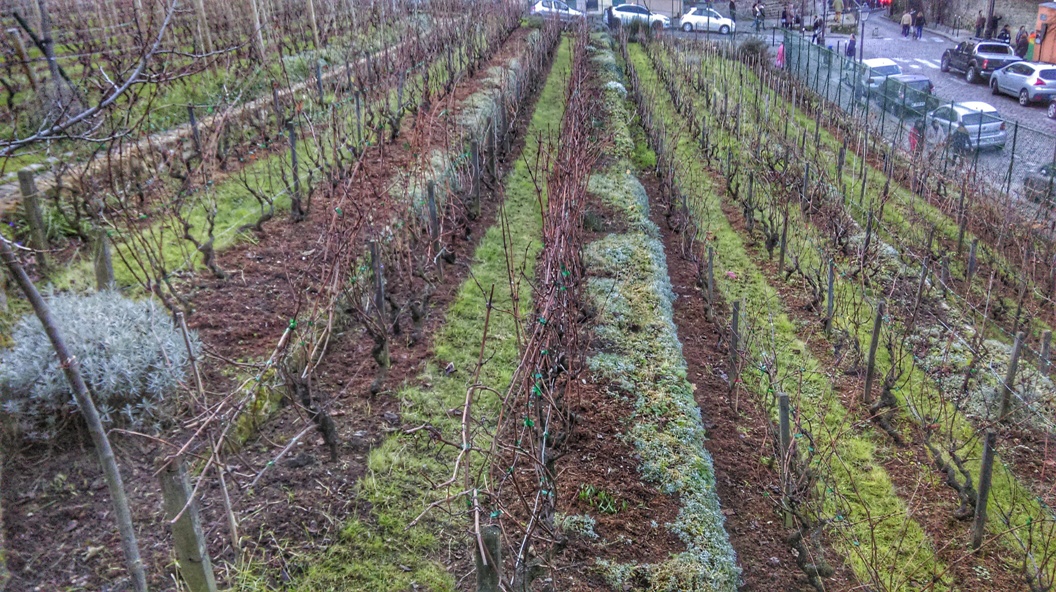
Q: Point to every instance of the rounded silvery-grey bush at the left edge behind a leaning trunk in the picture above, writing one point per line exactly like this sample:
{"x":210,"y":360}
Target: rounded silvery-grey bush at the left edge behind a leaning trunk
{"x":131,"y":357}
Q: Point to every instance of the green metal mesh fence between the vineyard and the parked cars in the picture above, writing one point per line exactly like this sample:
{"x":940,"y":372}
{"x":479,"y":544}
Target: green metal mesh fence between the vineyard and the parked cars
{"x":1003,"y":159}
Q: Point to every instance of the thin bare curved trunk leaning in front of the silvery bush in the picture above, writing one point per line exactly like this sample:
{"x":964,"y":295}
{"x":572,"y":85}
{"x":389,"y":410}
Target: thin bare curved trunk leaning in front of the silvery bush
{"x":72,"y":370}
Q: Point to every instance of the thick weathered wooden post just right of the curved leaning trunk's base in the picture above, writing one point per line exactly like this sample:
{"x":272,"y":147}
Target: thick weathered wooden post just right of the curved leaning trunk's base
{"x":187,"y":533}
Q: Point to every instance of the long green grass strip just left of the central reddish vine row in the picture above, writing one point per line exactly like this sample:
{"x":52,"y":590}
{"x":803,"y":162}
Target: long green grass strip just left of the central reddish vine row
{"x":379,"y":551}
